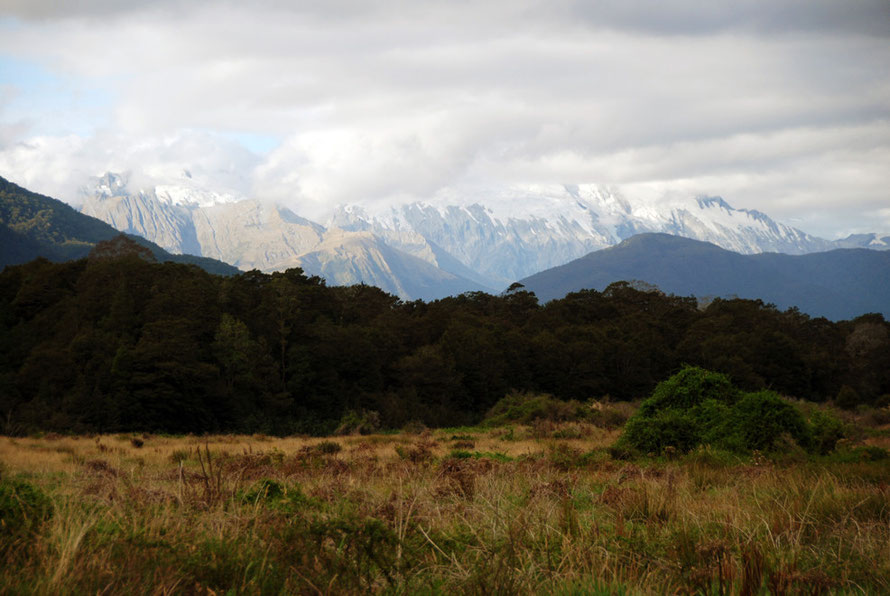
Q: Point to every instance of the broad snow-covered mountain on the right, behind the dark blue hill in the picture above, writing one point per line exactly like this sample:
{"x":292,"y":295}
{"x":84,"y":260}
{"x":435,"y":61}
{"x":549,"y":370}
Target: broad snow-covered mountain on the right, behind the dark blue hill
{"x":507,"y":234}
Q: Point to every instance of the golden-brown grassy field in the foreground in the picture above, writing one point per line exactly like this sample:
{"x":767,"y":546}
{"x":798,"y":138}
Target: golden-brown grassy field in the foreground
{"x":541,"y":509}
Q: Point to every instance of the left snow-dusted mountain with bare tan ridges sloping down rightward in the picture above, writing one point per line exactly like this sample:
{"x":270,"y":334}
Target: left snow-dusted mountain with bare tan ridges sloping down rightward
{"x":251,"y":234}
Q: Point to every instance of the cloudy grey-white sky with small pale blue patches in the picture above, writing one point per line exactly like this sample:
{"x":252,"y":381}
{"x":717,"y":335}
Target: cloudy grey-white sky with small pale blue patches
{"x":781,"y":106}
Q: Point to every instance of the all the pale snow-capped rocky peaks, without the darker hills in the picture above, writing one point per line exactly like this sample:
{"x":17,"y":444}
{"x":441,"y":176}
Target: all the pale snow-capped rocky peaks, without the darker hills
{"x":484,"y":237}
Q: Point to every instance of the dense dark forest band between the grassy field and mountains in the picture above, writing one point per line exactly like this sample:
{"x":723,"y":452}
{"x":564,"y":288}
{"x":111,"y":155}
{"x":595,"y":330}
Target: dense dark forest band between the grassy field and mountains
{"x":122,"y":343}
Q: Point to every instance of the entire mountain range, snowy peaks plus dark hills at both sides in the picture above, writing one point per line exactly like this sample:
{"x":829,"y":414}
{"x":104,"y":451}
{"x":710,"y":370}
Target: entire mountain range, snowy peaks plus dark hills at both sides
{"x":427,"y":250}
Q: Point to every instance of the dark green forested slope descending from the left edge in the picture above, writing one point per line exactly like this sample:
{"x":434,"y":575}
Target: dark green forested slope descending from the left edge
{"x":33,"y":225}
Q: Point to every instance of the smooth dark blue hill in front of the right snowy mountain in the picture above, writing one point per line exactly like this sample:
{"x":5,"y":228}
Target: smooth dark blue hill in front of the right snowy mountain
{"x":838,"y":284}
